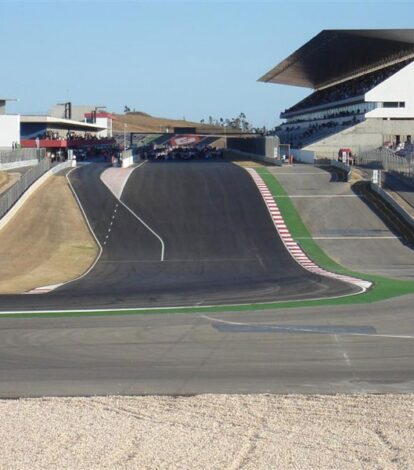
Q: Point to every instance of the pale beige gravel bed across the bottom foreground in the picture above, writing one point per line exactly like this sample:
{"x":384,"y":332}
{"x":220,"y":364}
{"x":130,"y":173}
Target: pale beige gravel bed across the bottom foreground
{"x":209,"y":432}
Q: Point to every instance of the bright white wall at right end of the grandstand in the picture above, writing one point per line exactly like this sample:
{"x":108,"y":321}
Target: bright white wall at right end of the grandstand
{"x":397,"y":88}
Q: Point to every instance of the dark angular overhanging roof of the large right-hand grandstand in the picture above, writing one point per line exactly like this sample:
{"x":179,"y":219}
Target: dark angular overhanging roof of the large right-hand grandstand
{"x":335,"y":55}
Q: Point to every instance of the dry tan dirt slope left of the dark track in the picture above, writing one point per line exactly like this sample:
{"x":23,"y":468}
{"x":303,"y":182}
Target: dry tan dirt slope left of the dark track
{"x":46,"y":242}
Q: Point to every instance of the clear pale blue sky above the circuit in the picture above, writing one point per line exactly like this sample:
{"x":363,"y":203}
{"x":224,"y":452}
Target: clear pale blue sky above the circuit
{"x":171,"y":59}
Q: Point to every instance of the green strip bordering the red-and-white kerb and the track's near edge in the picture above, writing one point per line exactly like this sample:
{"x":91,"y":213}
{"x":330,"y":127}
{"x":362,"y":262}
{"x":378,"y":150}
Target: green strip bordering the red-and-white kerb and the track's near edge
{"x":382,"y":289}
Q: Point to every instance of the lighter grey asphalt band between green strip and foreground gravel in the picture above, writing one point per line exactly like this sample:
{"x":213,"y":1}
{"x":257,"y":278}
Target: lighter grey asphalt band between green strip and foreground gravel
{"x":341,"y":349}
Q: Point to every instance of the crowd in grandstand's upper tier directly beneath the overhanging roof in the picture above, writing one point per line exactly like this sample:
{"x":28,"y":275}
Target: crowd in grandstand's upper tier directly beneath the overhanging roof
{"x":352,"y":88}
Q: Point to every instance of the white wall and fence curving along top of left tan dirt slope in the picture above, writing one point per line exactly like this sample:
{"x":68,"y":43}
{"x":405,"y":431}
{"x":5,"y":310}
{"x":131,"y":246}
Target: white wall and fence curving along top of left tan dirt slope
{"x":18,"y":194}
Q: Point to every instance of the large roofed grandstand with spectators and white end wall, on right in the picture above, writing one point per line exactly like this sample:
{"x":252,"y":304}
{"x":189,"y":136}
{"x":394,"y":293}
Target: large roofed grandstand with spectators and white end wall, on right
{"x":363,"y":97}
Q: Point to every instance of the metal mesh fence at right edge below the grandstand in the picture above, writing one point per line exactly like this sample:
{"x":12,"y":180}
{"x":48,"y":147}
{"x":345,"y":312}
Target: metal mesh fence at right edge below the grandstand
{"x":387,"y":160}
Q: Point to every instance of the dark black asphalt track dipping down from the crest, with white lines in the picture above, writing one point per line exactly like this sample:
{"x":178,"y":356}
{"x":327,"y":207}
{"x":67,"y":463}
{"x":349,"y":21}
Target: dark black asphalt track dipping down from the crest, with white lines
{"x":220,"y":245}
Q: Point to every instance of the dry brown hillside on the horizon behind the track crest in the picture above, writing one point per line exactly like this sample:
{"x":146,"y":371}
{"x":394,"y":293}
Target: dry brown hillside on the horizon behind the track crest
{"x":141,"y":122}
